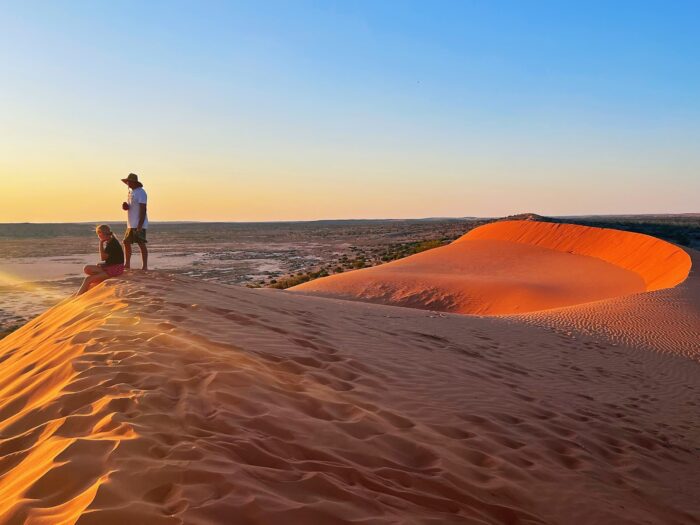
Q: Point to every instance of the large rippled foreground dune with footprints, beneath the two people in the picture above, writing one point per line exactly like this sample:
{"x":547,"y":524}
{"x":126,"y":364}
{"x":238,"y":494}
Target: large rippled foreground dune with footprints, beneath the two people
{"x":166,"y":400}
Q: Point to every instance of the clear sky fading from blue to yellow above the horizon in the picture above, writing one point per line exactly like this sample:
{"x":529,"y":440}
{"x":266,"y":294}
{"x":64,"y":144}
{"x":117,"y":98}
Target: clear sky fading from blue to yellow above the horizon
{"x":294,"y":110}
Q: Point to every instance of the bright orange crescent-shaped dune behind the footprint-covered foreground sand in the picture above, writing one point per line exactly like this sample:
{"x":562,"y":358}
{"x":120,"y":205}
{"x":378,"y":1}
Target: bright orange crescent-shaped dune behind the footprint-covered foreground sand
{"x":515,"y":267}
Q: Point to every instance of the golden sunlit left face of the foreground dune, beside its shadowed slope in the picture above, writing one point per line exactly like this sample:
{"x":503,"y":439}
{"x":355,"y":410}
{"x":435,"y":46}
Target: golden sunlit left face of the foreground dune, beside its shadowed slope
{"x":38,"y":380}
